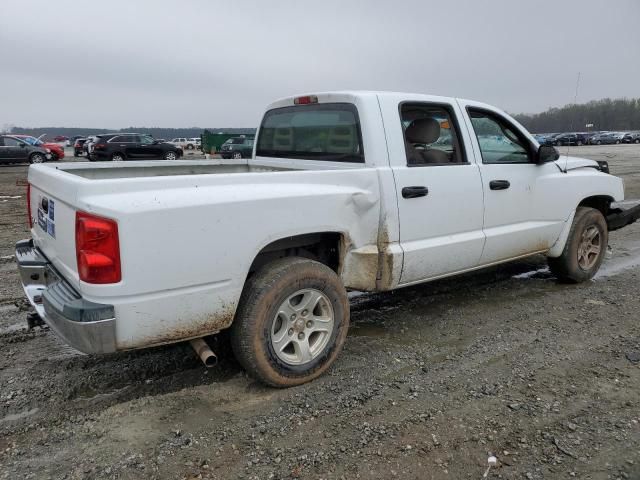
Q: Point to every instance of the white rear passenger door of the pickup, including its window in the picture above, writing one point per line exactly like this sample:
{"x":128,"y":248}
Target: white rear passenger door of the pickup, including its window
{"x":438,"y":186}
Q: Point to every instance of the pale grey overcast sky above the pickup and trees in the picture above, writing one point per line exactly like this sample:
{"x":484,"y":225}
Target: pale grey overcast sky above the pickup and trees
{"x":171,"y":63}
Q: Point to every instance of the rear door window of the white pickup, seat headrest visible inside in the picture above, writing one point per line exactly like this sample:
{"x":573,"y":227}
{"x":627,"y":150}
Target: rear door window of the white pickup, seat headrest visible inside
{"x":430,"y":134}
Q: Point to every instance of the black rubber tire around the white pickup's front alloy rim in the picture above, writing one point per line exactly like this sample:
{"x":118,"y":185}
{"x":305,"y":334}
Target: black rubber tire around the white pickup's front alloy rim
{"x":566,"y":267}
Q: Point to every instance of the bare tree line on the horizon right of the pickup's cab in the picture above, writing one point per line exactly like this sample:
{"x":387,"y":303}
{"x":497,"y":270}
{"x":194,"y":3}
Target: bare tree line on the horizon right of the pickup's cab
{"x":606,"y":114}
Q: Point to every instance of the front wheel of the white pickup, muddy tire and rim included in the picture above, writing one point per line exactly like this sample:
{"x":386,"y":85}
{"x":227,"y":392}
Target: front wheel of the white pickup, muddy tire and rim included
{"x":585,"y":248}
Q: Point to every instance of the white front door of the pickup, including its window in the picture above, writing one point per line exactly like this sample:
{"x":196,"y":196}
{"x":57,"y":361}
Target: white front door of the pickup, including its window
{"x":520,"y":216}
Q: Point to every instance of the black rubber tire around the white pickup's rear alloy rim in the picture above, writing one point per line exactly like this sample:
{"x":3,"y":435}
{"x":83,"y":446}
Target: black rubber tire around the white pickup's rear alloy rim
{"x":263,"y":295}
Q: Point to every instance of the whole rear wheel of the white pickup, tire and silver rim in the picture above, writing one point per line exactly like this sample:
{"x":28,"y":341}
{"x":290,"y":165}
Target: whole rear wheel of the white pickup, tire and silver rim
{"x":291,"y":323}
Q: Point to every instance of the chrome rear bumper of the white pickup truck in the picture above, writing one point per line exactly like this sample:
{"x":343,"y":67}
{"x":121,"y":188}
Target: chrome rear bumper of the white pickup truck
{"x":86,"y":326}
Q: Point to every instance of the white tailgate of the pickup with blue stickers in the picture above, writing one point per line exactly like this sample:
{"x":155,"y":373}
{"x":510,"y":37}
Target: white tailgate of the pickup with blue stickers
{"x":53,"y":216}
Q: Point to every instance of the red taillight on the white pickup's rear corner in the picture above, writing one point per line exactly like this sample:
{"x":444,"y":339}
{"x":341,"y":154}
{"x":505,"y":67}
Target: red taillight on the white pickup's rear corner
{"x":97,"y":249}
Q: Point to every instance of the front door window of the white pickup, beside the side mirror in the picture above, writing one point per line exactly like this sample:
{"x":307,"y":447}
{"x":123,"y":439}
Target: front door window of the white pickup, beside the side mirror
{"x":499,"y":141}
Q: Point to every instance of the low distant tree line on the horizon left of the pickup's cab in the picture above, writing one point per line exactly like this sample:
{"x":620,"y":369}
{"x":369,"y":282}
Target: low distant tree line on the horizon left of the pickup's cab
{"x":166,"y":133}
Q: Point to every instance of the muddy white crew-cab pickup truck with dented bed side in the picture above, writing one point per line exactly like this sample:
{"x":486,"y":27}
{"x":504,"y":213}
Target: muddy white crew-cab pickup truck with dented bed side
{"x":345,"y":191}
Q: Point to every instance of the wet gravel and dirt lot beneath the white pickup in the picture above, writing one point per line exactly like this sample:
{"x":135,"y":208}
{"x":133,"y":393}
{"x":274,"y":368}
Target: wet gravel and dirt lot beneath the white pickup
{"x":433,"y":379}
